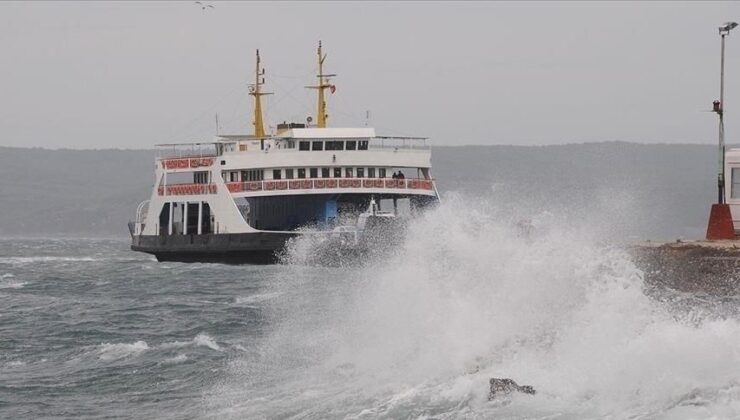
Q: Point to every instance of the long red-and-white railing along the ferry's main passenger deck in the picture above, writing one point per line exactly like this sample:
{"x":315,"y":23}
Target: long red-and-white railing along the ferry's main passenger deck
{"x":330,"y":183}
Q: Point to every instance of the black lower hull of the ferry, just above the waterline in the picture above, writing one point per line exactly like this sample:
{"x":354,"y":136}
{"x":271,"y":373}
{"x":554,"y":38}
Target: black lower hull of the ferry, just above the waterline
{"x":232,"y":248}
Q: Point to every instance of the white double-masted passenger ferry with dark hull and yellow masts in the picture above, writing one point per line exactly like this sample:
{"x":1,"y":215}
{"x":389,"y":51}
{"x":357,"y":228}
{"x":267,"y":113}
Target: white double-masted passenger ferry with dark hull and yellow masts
{"x":240,"y":198}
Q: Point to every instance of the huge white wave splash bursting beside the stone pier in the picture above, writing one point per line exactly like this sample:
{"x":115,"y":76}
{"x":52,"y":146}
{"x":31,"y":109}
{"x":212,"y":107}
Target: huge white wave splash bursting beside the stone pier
{"x":469,"y":296}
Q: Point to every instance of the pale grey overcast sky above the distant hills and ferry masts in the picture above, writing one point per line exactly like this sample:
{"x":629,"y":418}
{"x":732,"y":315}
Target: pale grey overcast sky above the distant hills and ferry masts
{"x":132,"y":74}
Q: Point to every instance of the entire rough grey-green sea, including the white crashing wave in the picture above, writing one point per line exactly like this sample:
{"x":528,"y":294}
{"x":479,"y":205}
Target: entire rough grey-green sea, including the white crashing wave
{"x":90,"y":329}
